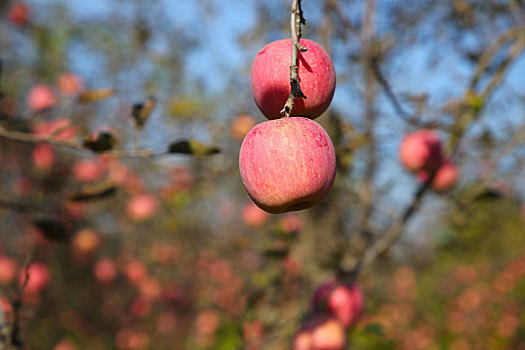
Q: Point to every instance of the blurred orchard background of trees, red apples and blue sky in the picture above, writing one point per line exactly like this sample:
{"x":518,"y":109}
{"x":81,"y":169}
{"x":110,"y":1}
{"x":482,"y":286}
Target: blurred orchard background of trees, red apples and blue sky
{"x":132,"y":247}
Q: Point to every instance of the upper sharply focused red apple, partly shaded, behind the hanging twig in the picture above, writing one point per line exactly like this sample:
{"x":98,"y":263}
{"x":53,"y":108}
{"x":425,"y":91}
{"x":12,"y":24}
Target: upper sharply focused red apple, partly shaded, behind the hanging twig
{"x":270,"y":79}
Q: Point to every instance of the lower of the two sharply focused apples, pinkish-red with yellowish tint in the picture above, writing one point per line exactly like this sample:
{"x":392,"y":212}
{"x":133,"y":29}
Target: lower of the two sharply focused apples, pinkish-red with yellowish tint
{"x":287,"y":164}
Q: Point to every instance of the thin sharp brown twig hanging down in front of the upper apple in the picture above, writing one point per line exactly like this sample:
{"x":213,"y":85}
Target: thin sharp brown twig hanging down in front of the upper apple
{"x":296,"y":20}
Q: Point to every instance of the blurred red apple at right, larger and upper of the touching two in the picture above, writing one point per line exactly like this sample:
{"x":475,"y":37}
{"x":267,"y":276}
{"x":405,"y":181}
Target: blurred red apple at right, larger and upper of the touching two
{"x":420,"y":150}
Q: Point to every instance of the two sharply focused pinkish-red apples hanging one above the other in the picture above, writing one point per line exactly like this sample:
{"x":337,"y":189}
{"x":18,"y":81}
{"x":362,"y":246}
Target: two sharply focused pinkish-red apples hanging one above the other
{"x":289,"y":164}
